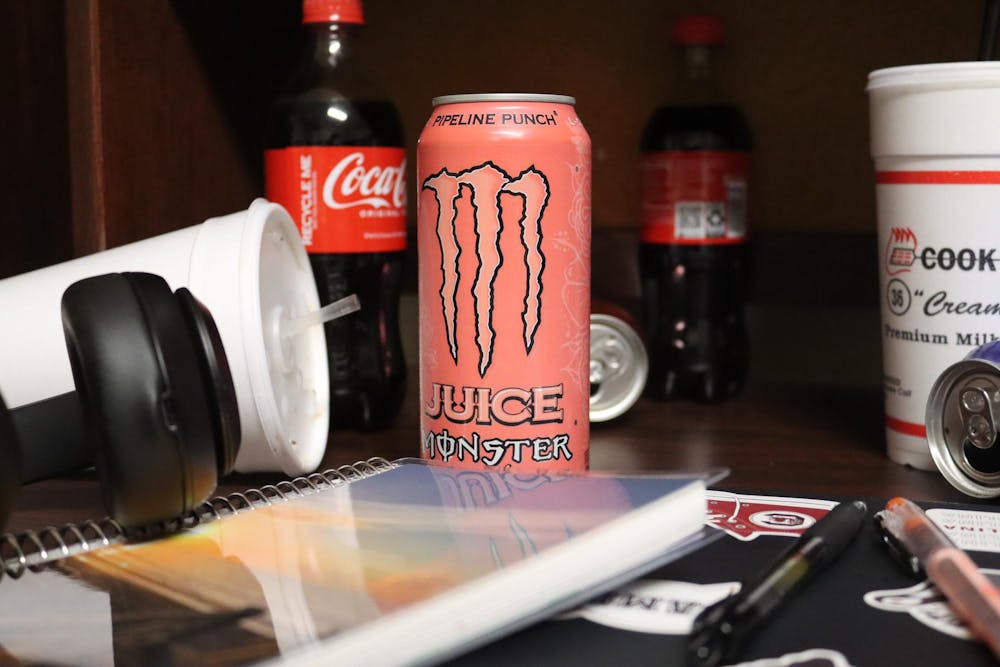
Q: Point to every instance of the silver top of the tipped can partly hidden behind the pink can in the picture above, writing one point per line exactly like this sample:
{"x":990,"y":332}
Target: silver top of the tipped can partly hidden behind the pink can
{"x":618,"y":367}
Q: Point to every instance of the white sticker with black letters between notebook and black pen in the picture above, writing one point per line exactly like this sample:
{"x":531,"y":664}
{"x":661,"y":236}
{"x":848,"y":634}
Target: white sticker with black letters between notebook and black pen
{"x":653,"y":606}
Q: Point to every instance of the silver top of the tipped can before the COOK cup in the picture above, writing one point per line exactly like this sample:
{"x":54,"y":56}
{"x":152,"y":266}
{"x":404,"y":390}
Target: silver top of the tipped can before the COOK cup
{"x":963,"y":419}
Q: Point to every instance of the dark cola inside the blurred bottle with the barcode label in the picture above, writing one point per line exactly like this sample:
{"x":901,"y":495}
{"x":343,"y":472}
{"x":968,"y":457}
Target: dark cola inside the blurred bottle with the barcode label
{"x":693,"y":296}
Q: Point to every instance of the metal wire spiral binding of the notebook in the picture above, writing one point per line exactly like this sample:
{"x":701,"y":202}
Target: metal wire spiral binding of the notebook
{"x":32,"y":550}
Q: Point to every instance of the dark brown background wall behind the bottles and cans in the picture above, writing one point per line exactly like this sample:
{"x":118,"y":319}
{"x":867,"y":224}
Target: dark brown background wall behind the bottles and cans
{"x":127,"y":118}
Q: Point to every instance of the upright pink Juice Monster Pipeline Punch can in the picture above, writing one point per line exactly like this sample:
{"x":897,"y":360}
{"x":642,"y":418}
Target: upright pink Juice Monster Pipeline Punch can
{"x":503,"y":240}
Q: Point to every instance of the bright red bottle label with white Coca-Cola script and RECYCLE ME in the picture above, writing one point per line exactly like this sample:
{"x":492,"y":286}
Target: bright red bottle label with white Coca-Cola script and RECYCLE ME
{"x":344,"y":199}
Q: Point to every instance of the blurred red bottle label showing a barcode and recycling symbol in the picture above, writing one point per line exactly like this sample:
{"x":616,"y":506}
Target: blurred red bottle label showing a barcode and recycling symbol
{"x":694,"y":197}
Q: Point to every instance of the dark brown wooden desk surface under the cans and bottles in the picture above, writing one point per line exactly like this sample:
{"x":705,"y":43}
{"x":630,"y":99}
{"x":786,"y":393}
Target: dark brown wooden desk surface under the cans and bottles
{"x":795,"y":440}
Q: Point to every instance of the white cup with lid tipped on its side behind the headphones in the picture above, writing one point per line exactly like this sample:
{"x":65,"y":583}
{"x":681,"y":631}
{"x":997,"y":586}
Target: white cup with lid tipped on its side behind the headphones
{"x":251,"y":271}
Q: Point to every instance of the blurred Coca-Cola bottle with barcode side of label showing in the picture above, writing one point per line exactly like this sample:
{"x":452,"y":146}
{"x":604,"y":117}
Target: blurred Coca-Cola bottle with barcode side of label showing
{"x":693,"y":250}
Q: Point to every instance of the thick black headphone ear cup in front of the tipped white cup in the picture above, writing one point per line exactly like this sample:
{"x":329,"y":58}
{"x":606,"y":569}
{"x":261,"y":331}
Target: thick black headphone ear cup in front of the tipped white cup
{"x":147,"y":412}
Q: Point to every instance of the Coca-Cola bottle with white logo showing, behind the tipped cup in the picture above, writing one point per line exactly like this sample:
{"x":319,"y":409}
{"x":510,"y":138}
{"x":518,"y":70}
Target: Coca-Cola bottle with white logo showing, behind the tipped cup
{"x":335,"y":159}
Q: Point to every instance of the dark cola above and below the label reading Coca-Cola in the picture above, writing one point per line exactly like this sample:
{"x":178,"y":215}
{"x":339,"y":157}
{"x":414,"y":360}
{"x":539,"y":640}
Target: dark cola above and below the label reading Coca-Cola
{"x":367,"y":369}
